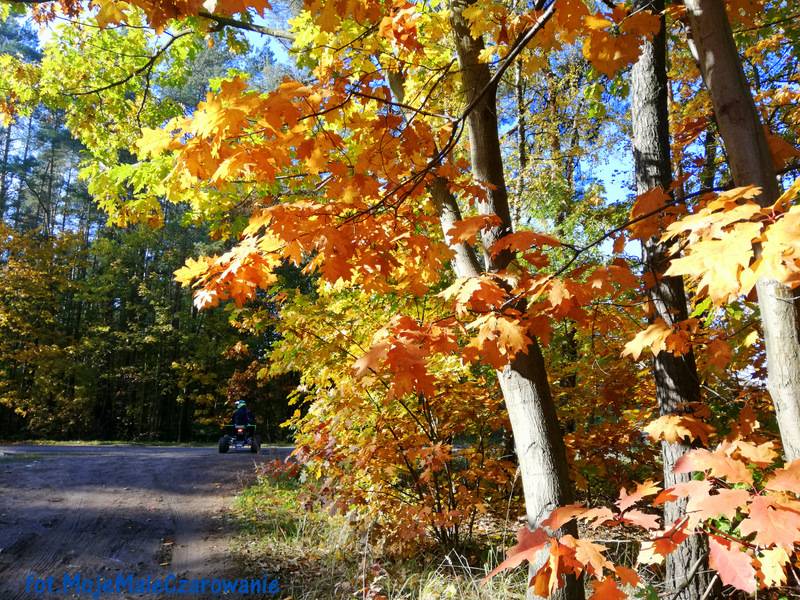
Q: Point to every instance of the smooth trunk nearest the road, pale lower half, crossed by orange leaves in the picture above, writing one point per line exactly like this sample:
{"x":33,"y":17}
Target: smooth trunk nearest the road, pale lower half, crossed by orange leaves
{"x":526,"y":390}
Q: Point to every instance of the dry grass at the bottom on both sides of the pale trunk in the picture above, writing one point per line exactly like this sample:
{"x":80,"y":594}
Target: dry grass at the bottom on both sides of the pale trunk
{"x":320,"y":556}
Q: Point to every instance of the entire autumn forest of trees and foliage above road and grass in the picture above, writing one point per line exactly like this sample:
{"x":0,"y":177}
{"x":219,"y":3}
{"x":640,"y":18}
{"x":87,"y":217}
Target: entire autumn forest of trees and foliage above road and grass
{"x":476,"y":259}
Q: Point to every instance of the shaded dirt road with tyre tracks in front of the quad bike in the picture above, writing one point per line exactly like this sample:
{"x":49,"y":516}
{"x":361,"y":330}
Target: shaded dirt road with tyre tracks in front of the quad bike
{"x":102,"y":511}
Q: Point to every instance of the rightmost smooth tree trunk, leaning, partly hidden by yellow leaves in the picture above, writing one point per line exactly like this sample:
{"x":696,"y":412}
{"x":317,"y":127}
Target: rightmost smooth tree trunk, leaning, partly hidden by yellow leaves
{"x":751,"y":164}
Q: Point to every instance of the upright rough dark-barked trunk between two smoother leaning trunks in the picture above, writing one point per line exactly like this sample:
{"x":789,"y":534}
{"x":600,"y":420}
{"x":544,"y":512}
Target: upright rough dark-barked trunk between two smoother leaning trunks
{"x":676,"y":379}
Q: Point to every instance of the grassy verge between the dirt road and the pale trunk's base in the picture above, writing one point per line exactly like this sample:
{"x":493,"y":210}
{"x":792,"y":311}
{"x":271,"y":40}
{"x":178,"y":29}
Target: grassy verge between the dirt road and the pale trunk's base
{"x":318,"y":556}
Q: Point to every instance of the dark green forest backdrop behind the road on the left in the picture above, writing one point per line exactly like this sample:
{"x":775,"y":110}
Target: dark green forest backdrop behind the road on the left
{"x":96,"y":338}
